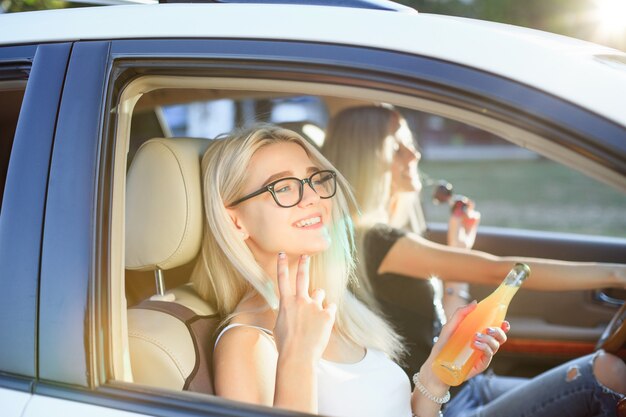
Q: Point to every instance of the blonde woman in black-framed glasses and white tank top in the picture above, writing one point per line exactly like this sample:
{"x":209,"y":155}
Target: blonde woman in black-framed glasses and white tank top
{"x":277,"y":259}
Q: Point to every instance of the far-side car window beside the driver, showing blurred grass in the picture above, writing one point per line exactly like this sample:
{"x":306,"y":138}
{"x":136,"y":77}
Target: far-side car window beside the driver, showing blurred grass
{"x":513,"y":187}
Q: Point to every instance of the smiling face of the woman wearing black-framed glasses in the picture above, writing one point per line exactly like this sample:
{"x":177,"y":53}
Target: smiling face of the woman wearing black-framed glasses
{"x":269,"y":228}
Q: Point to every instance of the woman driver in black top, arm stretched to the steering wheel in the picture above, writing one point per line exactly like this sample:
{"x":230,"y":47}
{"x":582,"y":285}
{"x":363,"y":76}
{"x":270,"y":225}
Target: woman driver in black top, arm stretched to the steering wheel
{"x":374,"y":149}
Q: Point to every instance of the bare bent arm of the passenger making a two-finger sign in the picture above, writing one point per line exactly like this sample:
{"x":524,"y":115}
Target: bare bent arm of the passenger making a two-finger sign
{"x":251,"y":367}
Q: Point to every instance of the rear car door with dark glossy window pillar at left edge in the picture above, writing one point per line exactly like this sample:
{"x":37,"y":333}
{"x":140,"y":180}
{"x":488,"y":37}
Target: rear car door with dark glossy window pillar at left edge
{"x":30,"y":86}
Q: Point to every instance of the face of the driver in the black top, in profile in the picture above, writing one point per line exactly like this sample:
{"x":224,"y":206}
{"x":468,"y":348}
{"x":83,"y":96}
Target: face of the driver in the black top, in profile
{"x":404,"y":159}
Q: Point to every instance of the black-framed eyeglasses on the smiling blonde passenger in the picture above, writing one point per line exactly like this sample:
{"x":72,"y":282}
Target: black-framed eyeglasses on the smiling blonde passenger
{"x":288,"y":192}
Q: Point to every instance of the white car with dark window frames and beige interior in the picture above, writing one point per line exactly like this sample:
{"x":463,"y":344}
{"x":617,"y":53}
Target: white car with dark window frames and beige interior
{"x":84,"y":91}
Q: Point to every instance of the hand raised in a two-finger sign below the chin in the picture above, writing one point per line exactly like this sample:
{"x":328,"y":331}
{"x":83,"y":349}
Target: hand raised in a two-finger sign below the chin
{"x":304,"y":323}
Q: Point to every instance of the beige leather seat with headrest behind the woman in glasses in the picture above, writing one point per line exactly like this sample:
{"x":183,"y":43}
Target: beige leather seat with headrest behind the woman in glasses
{"x":169,"y":334}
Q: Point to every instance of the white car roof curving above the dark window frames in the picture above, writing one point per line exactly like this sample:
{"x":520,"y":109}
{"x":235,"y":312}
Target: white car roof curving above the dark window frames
{"x":589,"y":75}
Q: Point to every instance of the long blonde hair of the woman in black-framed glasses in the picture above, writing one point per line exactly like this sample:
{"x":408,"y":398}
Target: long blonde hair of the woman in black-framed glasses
{"x":226,"y":271}
